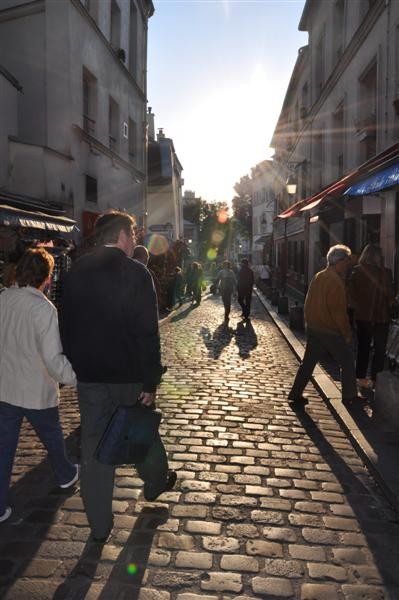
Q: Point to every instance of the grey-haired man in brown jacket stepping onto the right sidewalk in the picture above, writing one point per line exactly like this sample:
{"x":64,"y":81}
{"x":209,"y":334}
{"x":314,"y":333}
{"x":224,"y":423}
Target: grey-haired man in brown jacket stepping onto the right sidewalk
{"x":328,"y":327}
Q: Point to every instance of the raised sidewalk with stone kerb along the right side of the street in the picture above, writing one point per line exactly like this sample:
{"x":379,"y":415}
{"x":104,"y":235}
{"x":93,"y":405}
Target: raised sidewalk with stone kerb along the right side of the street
{"x":379,"y":449}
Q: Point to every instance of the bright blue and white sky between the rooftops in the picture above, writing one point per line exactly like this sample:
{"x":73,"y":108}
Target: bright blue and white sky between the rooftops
{"x":217,"y":76}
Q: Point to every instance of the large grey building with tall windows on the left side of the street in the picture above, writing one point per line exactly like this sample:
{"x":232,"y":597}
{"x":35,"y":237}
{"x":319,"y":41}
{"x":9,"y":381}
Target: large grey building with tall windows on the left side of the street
{"x":80,"y":144}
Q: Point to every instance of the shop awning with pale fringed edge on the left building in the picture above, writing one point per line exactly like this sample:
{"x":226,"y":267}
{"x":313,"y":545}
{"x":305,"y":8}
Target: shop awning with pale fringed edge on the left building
{"x":15,"y":217}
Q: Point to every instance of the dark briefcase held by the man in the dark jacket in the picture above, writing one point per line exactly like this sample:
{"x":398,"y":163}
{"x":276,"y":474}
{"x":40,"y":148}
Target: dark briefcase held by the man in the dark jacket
{"x":128,"y":436}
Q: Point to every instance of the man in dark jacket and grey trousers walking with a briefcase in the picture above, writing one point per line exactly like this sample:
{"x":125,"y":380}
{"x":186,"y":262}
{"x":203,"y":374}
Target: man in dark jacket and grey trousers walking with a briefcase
{"x":109,"y":331}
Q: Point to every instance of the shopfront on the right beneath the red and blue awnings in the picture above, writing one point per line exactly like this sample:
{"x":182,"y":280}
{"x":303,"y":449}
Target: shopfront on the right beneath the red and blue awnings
{"x":360,"y":208}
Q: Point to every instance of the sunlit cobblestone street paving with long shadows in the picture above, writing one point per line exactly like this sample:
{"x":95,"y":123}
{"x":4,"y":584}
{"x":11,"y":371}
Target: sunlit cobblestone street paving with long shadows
{"x":269,"y":502}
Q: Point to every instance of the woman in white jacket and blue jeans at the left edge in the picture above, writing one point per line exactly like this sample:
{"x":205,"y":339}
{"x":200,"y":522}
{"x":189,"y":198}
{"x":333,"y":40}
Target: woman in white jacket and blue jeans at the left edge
{"x":31,"y":365}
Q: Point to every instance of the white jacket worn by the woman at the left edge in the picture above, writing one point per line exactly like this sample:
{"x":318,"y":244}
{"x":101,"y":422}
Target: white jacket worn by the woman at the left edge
{"x":31,"y":358}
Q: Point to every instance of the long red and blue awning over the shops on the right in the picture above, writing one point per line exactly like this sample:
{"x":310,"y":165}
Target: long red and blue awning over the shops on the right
{"x":382,"y":170}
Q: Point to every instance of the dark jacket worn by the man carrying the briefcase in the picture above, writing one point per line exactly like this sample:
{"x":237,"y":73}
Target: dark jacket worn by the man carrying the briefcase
{"x":109,"y":320}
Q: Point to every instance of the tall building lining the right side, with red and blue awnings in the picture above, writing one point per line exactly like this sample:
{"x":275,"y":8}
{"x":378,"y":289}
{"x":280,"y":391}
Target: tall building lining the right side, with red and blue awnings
{"x":338,"y":127}
